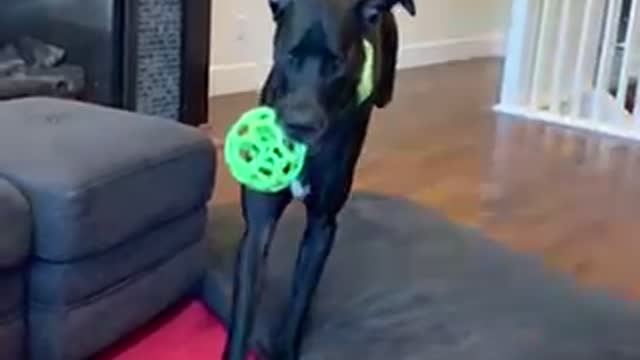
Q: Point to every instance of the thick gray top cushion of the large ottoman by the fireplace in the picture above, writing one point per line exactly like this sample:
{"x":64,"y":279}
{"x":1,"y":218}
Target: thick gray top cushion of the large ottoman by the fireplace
{"x":97,"y":176}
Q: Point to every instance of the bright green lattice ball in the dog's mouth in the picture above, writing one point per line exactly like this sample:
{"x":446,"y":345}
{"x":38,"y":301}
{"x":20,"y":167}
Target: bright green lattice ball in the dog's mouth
{"x":260,"y":155}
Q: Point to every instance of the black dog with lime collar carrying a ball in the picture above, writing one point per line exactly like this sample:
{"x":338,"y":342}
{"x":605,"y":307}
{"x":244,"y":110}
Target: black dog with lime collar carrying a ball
{"x":334,"y":61}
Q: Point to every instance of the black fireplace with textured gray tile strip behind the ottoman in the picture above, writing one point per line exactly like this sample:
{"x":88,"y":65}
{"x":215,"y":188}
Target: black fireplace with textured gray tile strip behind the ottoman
{"x":148,"y":56}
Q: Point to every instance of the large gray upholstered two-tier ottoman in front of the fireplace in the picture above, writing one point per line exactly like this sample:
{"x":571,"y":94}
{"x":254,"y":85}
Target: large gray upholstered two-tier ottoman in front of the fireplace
{"x":119,"y":205}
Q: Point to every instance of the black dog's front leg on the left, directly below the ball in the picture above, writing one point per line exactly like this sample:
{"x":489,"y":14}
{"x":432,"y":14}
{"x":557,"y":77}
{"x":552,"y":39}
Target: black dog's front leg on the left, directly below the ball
{"x":261,"y":213}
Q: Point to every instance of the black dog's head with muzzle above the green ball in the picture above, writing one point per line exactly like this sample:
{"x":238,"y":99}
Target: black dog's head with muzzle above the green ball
{"x":318,"y":59}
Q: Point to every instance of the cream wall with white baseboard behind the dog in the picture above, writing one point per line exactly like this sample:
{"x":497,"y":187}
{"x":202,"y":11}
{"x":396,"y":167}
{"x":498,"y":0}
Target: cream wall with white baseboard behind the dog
{"x":444,"y":30}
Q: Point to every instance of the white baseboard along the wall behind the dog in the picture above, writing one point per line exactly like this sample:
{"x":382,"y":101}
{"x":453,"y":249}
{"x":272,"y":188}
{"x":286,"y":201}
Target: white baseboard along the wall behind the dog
{"x":235,"y":78}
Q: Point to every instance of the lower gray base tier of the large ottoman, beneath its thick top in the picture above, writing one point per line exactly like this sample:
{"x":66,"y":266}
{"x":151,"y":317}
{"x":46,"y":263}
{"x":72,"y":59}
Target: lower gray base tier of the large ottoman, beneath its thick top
{"x":79,"y":331}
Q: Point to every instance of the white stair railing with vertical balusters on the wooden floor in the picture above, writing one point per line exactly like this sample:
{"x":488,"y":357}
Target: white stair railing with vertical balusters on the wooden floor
{"x":574,"y":63}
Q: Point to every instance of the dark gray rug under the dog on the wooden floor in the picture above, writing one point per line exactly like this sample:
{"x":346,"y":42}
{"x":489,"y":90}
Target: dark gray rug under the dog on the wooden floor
{"x":404,"y":283}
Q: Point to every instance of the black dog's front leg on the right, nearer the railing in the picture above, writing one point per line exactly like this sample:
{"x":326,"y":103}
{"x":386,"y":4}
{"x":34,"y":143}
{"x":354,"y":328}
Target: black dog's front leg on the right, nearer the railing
{"x":312,"y":256}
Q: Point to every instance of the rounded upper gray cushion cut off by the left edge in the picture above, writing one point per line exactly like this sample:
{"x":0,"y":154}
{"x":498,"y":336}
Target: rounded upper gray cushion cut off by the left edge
{"x":15,"y":226}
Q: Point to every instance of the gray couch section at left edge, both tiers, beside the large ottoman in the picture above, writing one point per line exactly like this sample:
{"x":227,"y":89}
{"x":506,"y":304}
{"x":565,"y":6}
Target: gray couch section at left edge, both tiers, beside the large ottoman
{"x":14,"y":251}
